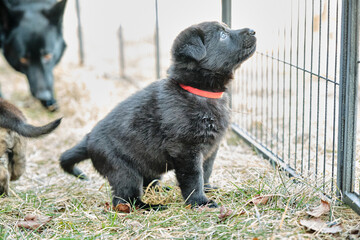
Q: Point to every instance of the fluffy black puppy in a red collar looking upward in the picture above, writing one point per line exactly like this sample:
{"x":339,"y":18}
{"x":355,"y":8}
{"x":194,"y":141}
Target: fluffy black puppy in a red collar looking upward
{"x":176,"y":123}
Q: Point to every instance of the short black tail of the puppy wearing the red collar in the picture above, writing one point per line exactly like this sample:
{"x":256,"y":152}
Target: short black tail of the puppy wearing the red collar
{"x":73,"y":156}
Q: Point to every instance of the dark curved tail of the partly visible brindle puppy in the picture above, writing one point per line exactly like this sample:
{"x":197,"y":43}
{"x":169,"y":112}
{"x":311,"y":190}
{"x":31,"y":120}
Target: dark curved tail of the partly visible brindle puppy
{"x":11,"y":118}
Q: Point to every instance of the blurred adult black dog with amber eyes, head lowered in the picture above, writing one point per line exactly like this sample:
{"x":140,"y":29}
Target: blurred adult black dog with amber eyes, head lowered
{"x":32,"y":42}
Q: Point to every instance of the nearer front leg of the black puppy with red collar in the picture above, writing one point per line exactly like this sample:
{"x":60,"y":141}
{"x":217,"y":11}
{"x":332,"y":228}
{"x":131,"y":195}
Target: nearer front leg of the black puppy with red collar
{"x":191,"y":181}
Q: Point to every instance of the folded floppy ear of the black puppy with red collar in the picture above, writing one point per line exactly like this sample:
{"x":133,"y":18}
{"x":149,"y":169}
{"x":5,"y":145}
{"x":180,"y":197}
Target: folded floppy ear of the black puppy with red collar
{"x":190,"y":43}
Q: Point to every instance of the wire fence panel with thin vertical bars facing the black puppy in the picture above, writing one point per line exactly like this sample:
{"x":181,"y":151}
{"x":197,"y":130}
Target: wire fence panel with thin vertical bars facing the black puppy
{"x":285,"y":99}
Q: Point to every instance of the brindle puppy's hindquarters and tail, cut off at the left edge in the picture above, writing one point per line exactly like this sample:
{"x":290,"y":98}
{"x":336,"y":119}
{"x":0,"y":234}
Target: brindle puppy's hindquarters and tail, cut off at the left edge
{"x":13,"y":145}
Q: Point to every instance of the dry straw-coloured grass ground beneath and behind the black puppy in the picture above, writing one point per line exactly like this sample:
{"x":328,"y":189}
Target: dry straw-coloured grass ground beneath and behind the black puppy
{"x":78,"y":208}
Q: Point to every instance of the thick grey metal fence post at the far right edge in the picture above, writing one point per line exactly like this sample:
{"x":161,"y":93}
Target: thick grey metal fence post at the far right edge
{"x":348,"y":103}
